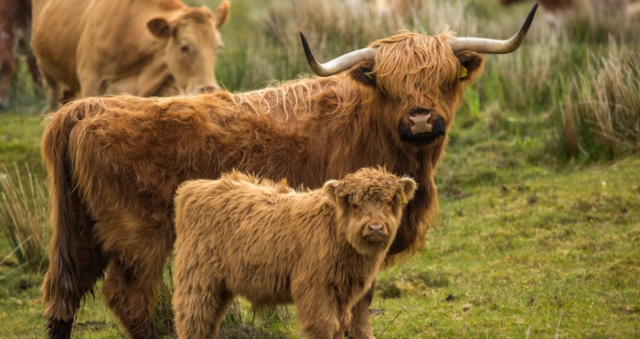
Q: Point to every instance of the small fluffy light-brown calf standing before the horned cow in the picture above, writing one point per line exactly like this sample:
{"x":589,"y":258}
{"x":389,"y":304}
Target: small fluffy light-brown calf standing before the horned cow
{"x":240,"y":236}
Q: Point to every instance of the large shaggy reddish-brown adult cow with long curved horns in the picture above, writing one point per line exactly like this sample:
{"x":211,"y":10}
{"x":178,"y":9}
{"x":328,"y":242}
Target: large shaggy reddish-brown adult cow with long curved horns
{"x":115,"y":163}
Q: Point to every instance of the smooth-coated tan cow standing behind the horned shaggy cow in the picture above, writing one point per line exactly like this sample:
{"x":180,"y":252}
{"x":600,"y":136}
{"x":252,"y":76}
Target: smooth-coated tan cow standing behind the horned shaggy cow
{"x":142,"y":47}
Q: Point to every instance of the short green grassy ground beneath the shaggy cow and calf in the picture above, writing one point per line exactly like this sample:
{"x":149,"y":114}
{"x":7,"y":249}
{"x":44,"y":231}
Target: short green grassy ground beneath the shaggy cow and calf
{"x":519,"y":251}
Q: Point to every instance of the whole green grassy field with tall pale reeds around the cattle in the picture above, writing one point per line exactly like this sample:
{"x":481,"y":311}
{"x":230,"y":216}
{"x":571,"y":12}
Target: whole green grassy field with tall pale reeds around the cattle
{"x":539,"y":232}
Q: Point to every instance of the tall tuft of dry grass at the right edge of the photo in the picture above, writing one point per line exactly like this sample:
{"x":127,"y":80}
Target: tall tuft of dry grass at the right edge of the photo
{"x":601,"y":116}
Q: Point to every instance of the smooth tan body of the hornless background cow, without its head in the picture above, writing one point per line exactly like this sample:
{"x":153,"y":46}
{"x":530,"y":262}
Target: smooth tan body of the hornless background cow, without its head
{"x":72,"y":38}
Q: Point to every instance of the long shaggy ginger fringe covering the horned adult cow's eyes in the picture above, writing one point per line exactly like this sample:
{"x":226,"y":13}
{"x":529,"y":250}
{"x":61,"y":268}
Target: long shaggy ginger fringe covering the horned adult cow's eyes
{"x":410,"y":65}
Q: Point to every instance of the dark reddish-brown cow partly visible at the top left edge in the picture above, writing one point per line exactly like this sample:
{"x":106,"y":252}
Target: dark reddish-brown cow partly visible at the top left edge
{"x":15,"y":33}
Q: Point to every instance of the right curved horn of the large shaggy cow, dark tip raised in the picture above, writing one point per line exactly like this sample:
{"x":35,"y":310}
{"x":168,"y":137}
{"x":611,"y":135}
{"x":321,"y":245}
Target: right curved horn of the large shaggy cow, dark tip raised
{"x":490,"y":46}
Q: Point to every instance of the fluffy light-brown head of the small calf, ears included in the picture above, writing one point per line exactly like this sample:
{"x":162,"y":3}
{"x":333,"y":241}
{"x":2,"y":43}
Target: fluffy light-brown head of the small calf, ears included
{"x":369,"y":208}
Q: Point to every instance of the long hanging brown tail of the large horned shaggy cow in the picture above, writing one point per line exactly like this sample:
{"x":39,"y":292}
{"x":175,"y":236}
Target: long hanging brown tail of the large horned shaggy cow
{"x":61,"y":288}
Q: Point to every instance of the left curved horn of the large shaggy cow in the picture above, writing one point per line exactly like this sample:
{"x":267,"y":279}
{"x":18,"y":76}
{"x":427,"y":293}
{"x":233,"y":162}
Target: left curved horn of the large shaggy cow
{"x":338,"y":64}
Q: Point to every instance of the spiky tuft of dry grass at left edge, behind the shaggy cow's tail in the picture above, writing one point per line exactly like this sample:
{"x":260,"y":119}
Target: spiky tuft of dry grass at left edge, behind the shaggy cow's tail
{"x":24,"y":218}
